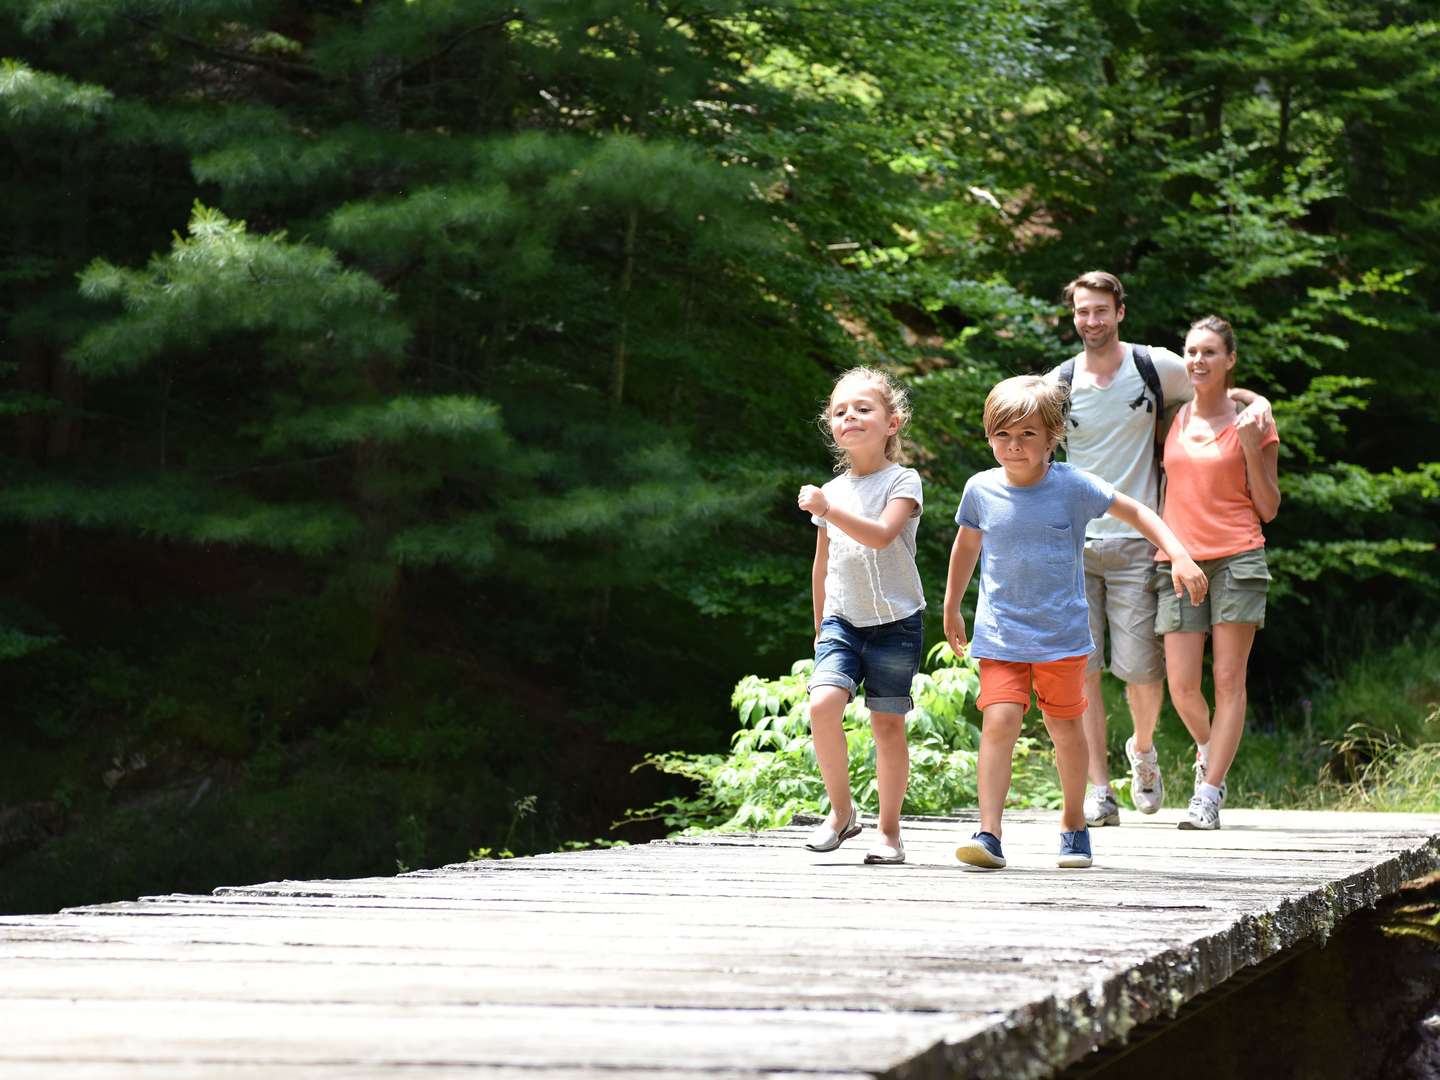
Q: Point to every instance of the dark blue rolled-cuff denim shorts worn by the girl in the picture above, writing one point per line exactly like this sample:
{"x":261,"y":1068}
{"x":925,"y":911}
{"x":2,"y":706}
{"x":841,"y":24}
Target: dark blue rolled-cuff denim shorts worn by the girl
{"x":882,"y":659}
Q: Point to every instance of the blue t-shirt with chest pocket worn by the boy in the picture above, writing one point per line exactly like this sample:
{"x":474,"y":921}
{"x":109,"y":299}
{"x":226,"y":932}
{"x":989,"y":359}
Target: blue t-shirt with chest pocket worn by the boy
{"x":1032,"y":568}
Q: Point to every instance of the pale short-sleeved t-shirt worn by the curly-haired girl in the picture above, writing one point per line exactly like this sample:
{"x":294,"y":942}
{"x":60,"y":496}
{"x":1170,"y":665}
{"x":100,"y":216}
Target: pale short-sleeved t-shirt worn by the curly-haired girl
{"x":869,"y":587}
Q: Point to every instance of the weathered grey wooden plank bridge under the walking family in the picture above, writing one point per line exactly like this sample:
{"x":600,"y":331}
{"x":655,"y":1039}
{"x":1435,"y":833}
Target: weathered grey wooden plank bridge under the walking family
{"x":732,"y":957}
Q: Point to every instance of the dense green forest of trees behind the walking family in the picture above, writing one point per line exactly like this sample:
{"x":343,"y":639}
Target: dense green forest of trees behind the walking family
{"x":405,"y":400}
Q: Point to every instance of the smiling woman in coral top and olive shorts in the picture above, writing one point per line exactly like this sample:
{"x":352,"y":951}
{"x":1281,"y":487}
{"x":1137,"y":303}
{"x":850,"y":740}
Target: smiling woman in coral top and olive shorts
{"x":1222,"y":483}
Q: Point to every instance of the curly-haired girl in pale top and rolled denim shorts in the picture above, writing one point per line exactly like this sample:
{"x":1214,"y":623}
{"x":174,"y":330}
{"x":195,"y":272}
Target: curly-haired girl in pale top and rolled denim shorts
{"x":868,"y":601}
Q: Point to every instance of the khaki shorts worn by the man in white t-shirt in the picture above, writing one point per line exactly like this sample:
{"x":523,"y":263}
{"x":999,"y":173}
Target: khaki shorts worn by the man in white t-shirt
{"x":1120,"y":587}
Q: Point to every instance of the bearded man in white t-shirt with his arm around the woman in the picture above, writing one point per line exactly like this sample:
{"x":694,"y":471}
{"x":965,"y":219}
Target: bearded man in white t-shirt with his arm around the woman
{"x":1114,"y":423}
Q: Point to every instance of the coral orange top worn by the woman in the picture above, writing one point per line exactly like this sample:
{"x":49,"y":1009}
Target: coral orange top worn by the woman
{"x":1207,"y":496}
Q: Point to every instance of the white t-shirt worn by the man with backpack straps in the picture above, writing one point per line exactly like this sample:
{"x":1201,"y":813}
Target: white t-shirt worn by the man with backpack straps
{"x":1112,"y":431}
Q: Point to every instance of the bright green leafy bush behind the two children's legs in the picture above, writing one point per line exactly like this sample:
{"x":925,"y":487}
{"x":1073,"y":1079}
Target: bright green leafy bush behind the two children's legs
{"x":771,"y":774}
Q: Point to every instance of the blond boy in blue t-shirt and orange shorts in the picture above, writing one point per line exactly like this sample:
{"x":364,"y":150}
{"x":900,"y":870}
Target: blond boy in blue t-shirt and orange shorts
{"x":1026,"y":522}
